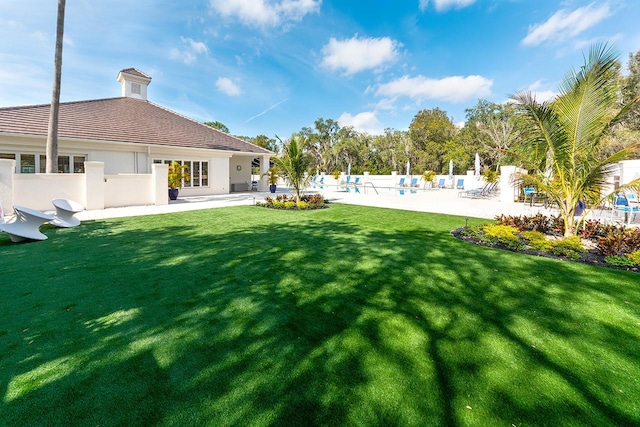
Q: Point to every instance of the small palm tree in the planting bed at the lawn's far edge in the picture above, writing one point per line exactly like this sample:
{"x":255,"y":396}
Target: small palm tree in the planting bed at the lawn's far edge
{"x":294,"y":164}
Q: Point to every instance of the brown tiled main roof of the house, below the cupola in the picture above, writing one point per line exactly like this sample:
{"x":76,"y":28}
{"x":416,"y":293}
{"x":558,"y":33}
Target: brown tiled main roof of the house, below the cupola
{"x":122,"y":119}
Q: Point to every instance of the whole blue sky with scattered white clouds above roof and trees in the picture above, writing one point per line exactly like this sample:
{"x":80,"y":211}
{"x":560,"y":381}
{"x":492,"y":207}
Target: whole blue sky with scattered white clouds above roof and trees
{"x":274,"y":66}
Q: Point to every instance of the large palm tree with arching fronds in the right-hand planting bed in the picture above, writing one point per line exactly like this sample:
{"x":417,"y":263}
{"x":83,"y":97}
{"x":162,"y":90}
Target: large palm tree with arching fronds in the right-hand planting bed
{"x":565,"y":141}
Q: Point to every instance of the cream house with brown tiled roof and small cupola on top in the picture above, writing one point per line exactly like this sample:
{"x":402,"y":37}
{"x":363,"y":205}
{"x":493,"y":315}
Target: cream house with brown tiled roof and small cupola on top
{"x":128,"y":135}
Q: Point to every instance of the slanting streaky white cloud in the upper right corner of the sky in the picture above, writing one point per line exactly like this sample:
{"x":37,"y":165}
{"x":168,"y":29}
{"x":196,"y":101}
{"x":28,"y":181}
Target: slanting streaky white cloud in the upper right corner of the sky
{"x":565,"y":24}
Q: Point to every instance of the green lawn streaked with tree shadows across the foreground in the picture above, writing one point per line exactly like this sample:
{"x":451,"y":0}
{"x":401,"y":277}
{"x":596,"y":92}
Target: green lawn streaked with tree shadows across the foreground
{"x":342,"y":316}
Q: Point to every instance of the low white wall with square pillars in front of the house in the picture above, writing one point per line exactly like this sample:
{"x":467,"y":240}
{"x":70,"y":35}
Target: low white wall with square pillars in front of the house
{"x":92,"y":189}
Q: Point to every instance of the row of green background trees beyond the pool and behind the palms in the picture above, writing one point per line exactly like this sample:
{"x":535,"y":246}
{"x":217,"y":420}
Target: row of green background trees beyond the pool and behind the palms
{"x":494,"y":130}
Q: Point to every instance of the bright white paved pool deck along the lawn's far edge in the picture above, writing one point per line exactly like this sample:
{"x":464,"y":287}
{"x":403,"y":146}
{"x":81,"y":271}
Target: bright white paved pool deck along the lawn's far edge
{"x":444,"y":201}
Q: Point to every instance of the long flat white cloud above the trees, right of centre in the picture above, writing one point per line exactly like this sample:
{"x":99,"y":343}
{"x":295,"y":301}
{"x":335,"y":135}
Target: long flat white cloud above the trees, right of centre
{"x":454,"y":89}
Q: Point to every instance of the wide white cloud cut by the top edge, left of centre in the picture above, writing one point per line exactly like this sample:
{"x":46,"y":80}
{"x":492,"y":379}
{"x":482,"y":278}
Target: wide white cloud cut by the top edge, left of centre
{"x":265,"y":13}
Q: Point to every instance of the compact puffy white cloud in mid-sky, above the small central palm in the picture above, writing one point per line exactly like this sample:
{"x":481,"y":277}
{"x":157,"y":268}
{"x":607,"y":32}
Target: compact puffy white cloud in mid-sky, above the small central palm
{"x":358,"y":54}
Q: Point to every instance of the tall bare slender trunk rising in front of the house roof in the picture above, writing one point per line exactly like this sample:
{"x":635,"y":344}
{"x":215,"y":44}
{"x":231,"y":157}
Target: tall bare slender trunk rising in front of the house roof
{"x":52,"y":131}
